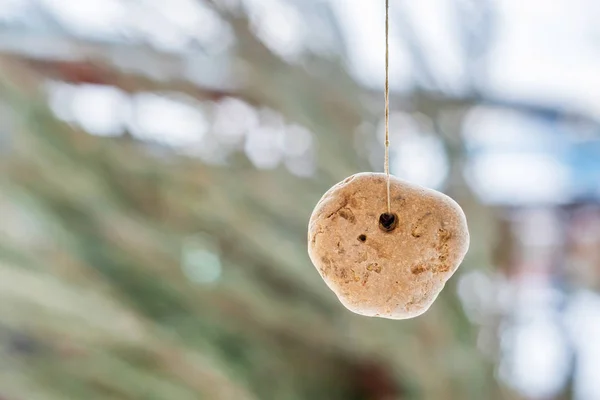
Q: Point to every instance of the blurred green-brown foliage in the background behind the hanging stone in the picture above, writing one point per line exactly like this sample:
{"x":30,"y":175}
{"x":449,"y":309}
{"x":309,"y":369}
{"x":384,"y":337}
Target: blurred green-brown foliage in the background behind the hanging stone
{"x":95,"y":305}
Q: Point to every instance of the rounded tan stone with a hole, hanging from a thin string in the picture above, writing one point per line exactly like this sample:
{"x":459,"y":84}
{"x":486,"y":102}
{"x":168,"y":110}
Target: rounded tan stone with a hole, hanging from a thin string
{"x":397,"y":274}
